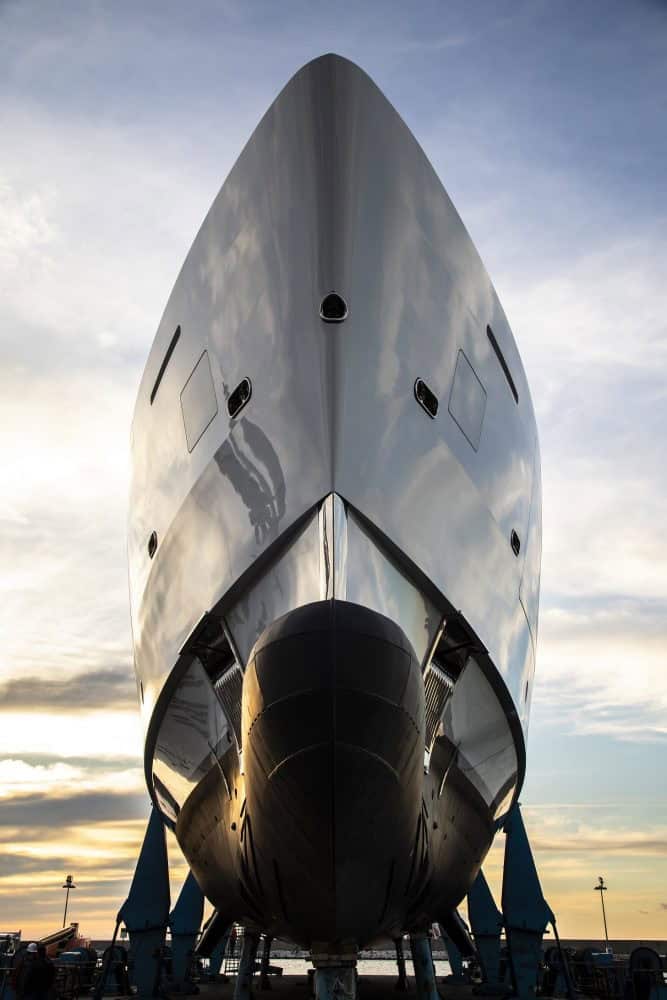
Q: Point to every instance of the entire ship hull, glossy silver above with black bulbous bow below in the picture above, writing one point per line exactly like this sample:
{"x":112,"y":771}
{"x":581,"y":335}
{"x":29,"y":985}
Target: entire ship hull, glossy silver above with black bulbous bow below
{"x":334,"y":593}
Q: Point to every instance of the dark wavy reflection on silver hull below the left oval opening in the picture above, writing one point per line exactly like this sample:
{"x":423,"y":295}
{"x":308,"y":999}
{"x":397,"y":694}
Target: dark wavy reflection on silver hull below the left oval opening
{"x":253,"y":468}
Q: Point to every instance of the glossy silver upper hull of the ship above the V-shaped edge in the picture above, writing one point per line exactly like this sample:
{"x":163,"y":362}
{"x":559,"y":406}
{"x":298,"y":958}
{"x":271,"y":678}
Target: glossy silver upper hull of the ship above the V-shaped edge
{"x":332,"y":190}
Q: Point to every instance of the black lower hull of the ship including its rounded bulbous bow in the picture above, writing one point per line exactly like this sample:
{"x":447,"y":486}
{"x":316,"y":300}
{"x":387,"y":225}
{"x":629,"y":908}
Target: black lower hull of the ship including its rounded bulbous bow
{"x":333,"y":834}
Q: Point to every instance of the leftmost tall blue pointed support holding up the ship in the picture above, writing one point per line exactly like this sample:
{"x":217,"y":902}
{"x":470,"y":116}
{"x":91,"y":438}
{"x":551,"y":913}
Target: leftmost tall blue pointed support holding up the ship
{"x":146,"y":909}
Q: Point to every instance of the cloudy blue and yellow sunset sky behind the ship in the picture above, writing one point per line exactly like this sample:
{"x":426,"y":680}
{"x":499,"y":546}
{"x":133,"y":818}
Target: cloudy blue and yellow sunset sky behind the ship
{"x":118,"y":124}
